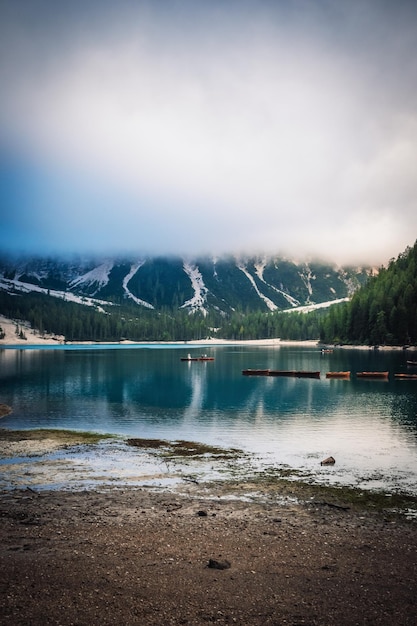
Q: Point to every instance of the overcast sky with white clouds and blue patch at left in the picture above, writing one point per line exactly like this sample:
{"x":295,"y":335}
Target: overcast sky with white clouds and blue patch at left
{"x":210,"y":126}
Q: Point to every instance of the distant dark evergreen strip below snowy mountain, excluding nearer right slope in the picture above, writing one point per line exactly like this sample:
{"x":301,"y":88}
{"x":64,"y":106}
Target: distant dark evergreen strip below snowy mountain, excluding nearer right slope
{"x":77,"y":322}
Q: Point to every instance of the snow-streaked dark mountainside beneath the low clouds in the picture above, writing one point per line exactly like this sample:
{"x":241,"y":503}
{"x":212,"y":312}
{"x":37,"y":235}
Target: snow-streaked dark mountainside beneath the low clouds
{"x":224,"y":284}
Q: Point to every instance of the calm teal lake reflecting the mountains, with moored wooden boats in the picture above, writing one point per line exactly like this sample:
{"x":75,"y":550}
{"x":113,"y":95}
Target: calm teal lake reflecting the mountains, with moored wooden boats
{"x":146,"y":391}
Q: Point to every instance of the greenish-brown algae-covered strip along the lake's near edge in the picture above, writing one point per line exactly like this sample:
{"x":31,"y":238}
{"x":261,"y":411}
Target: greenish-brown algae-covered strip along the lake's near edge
{"x":237,"y":480}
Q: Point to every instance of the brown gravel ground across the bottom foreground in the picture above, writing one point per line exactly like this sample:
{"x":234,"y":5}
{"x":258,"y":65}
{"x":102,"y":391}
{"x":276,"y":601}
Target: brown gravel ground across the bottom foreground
{"x":136,"y":556}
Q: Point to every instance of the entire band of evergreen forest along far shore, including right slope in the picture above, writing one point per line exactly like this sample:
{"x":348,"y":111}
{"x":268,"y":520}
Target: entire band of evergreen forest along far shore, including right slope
{"x":384,"y":311}
